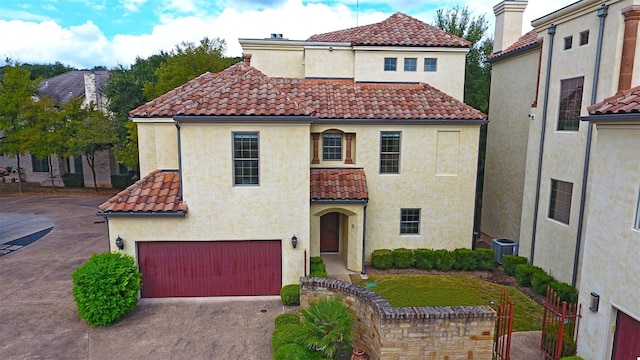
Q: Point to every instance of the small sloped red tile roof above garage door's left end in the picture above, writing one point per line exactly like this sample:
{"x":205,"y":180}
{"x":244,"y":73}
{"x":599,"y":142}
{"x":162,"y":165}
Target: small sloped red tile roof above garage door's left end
{"x":155,"y":194}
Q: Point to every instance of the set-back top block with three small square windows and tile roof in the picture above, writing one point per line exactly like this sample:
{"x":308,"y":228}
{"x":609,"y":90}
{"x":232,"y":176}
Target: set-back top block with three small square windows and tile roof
{"x":398,"y":49}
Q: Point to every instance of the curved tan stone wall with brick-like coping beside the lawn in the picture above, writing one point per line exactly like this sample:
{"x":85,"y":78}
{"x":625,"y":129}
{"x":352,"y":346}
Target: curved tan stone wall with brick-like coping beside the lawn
{"x":410,"y":333}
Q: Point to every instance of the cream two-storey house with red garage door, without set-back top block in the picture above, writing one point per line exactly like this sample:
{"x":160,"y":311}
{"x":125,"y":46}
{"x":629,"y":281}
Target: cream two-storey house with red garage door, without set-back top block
{"x":248,"y":176}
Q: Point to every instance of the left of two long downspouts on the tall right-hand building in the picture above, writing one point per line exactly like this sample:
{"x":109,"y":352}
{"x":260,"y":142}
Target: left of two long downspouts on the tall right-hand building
{"x":551,"y":31}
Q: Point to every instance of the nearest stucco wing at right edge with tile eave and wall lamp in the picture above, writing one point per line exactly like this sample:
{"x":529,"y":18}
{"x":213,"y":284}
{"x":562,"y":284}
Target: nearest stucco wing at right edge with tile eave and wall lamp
{"x":610,"y":267}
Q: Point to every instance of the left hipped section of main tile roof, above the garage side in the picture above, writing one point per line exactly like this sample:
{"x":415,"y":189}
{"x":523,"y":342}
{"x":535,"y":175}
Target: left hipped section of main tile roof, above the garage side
{"x":239,"y":90}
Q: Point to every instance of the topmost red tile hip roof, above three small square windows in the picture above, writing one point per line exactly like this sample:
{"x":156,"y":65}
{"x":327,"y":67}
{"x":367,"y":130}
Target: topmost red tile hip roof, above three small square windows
{"x":398,"y":30}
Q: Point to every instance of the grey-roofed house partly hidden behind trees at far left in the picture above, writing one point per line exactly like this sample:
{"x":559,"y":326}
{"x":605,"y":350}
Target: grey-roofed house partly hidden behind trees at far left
{"x":63,"y":88}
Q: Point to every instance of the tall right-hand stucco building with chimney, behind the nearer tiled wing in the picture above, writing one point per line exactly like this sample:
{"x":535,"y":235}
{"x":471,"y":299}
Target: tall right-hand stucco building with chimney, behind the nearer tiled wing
{"x":538,"y":150}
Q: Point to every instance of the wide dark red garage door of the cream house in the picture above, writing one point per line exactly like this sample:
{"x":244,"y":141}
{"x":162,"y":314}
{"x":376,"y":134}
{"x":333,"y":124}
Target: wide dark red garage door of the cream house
{"x":220,"y":268}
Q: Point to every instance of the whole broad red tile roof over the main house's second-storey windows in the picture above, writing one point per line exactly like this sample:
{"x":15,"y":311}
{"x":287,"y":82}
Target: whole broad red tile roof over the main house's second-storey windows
{"x":242,"y":90}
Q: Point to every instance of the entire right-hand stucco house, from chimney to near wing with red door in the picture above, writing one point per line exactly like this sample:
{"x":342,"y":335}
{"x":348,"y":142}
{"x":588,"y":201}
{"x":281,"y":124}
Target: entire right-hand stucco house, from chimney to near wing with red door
{"x":566,"y":189}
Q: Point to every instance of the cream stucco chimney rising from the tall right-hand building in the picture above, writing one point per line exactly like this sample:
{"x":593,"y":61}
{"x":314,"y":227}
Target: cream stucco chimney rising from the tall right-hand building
{"x":508,"y":27}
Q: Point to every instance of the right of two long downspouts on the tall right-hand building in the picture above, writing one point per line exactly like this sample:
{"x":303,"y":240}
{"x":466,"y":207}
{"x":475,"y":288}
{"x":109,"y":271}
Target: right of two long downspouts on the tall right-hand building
{"x":602,"y":14}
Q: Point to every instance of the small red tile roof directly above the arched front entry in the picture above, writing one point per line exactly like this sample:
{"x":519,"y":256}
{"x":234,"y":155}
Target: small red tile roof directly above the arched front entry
{"x":341,"y":184}
